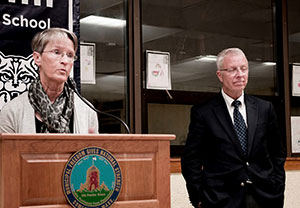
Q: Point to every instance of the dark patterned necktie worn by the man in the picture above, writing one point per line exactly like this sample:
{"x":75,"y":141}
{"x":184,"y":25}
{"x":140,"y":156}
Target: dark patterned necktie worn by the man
{"x":239,"y":125}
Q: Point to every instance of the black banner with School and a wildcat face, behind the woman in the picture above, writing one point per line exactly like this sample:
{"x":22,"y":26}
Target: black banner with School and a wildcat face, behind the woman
{"x":19,"y":21}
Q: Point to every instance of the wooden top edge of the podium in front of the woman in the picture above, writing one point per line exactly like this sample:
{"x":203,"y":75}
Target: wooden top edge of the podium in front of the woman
{"x":14,"y":136}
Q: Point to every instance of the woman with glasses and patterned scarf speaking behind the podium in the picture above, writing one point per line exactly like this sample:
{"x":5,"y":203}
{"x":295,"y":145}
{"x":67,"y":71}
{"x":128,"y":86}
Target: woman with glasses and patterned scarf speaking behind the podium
{"x":50,"y":105}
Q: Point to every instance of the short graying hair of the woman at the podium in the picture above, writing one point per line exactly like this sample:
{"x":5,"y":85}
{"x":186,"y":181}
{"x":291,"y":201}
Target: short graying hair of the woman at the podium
{"x":41,"y":39}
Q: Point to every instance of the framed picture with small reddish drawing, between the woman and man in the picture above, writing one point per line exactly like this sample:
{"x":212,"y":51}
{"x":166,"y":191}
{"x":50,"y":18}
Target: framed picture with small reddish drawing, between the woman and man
{"x":158,"y":75}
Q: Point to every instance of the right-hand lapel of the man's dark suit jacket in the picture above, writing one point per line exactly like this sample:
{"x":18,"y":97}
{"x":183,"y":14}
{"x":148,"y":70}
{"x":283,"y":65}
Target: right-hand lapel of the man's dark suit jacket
{"x":252,"y":112}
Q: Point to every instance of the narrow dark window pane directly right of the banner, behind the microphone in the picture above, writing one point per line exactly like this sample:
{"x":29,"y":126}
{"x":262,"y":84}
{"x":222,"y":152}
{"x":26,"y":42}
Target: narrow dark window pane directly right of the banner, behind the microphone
{"x":104,"y":24}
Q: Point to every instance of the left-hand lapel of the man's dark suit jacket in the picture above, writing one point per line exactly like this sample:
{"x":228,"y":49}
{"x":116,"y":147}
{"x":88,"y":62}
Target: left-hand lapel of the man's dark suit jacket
{"x":224,"y":118}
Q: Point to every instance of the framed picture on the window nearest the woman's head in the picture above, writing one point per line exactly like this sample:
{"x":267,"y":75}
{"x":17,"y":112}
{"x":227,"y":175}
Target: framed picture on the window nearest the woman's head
{"x":88,"y":63}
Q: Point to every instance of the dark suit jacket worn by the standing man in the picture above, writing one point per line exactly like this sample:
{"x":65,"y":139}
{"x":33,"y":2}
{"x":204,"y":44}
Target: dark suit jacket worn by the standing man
{"x":214,"y":166}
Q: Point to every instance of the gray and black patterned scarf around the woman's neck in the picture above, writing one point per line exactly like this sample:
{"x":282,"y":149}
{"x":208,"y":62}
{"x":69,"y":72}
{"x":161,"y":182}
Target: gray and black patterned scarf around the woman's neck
{"x":55,"y":116}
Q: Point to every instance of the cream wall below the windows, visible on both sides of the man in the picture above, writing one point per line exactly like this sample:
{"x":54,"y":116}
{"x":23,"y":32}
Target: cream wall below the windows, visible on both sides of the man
{"x":179,"y":197}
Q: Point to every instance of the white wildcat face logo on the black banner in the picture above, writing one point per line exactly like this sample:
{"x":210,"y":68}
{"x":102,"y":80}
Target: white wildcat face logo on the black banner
{"x":16,"y":73}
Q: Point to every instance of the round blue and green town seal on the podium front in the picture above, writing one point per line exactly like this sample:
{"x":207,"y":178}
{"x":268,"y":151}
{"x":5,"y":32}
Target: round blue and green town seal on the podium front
{"x":92,"y":178}
